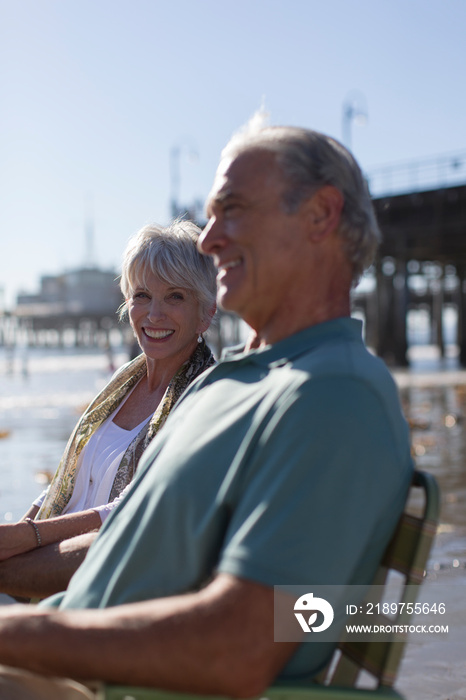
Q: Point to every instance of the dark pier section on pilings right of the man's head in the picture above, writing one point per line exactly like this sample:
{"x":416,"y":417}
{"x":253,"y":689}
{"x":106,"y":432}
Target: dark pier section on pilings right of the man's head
{"x":424,"y":236}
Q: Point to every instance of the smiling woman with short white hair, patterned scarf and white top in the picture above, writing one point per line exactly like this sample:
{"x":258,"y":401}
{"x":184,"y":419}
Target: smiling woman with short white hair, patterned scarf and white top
{"x":169,"y":291}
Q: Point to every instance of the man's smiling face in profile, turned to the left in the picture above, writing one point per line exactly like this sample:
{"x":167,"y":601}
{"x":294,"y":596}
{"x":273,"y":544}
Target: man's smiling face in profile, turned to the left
{"x":256,"y":246}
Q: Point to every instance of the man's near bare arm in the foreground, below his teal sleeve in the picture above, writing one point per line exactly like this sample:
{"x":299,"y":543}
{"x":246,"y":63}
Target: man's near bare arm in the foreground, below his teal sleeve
{"x":217,"y":641}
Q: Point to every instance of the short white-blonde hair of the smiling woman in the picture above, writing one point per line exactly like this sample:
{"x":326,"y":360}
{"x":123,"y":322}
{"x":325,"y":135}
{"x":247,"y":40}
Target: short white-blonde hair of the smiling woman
{"x":170,"y":252}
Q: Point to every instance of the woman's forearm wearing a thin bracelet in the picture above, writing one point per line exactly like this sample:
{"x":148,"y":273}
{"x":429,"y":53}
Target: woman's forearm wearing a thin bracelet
{"x":21,"y":537}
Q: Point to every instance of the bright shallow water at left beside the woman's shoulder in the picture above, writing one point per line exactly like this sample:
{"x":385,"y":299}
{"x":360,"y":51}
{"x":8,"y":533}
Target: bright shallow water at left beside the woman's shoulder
{"x":42,"y":394}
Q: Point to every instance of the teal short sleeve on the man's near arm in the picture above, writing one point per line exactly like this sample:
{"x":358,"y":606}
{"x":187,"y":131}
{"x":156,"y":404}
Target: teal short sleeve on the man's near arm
{"x":324,"y":489}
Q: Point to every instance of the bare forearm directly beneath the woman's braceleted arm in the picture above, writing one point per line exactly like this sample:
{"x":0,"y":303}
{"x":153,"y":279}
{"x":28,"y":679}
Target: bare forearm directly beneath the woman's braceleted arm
{"x":46,"y":570}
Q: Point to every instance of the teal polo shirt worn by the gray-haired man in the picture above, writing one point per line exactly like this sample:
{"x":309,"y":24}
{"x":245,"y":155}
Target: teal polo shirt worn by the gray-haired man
{"x":288,"y":465}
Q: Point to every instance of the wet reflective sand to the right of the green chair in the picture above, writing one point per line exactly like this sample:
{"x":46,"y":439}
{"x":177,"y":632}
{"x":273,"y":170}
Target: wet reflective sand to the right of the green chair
{"x":434,"y":667}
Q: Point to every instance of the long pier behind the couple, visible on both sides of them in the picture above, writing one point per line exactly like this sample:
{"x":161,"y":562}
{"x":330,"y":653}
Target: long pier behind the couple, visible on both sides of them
{"x":421,"y":264}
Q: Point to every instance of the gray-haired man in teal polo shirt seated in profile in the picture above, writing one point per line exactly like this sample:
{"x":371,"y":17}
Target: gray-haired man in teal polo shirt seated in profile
{"x":285,"y":464}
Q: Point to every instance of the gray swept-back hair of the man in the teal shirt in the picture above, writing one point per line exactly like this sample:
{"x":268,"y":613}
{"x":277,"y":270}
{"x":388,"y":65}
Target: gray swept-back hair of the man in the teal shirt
{"x":309,"y":160}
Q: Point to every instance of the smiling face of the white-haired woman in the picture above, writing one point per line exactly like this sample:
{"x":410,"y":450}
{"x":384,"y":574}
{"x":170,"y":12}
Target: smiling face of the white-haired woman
{"x":166,"y":320}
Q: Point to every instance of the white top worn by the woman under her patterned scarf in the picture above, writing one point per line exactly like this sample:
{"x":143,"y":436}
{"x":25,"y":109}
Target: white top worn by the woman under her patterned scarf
{"x":97,"y":466}
